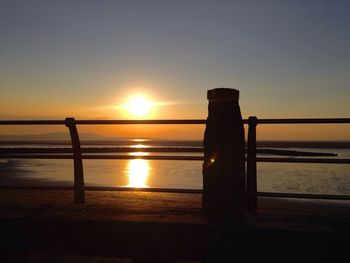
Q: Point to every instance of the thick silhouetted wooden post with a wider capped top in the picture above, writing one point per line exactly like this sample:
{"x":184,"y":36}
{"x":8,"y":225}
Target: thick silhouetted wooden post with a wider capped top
{"x":224,"y":195}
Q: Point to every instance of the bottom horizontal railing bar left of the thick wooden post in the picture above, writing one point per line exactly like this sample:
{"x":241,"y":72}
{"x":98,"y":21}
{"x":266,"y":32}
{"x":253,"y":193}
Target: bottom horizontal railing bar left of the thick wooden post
{"x":103,"y":188}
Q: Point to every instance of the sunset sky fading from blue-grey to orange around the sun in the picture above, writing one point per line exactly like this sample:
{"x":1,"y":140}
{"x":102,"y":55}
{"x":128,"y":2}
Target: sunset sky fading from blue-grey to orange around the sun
{"x":87,"y":59}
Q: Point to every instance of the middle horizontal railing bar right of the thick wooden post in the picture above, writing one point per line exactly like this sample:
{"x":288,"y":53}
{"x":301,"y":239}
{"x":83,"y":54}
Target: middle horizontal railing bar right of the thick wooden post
{"x":302,"y":160}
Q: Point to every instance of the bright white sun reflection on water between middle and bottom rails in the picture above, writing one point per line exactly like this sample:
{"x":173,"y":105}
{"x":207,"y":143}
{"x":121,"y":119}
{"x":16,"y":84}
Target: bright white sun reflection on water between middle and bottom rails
{"x":138,"y":172}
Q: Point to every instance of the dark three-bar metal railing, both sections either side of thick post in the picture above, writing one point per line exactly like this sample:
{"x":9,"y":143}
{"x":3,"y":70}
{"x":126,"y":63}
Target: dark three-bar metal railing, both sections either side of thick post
{"x":78,"y":155}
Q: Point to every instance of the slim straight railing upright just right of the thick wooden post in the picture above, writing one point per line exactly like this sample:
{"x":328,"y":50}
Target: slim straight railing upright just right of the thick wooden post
{"x":251,"y":166}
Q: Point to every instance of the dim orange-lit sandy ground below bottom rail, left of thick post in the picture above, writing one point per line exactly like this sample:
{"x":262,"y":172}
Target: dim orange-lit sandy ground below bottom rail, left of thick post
{"x":122,"y":206}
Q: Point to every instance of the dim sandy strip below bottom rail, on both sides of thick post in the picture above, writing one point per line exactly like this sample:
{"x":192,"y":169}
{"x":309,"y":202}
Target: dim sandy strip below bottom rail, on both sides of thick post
{"x":163,"y":207}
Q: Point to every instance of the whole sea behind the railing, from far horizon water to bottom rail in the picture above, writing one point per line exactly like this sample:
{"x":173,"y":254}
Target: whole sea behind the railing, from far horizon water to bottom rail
{"x":142,"y":173}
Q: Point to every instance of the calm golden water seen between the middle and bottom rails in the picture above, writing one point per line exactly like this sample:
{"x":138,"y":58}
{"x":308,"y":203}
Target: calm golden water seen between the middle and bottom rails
{"x":275,"y":177}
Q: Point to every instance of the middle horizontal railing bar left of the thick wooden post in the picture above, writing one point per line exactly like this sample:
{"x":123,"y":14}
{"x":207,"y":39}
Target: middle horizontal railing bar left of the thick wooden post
{"x":101,"y":157}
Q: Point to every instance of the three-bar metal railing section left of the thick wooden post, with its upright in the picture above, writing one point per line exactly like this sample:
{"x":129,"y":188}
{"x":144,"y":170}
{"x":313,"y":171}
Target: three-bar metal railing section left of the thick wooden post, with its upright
{"x":77,"y":156}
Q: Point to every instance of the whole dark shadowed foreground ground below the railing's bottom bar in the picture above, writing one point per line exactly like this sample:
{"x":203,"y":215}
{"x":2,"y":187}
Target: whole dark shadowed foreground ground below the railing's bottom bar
{"x":45,"y":226}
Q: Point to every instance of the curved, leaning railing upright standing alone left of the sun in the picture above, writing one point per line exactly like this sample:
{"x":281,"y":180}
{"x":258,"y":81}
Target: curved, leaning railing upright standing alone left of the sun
{"x":79,"y":195}
